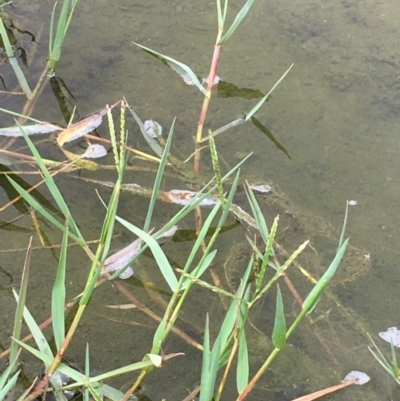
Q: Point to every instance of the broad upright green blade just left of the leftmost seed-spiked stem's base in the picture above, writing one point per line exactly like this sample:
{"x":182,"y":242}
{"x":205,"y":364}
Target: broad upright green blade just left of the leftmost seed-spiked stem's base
{"x":59,"y":294}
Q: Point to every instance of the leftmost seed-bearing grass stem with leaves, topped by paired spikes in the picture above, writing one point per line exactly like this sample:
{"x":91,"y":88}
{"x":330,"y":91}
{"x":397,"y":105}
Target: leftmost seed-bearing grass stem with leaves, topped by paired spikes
{"x":58,"y":300}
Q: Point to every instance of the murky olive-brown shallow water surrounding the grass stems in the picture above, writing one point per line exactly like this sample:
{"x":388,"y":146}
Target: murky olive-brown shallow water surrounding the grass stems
{"x":336,"y":114}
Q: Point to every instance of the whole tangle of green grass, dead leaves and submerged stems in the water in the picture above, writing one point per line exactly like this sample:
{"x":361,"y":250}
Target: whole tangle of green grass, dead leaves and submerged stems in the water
{"x":228,"y":343}
